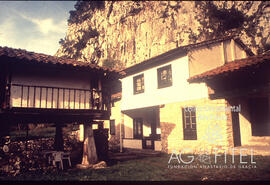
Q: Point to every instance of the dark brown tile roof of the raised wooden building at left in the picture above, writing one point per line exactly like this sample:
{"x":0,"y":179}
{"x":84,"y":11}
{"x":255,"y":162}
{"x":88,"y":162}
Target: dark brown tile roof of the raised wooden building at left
{"x":21,"y":54}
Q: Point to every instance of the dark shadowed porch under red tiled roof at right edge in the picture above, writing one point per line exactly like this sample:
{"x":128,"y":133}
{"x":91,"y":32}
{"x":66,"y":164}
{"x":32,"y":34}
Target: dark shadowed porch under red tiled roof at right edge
{"x":244,"y":82}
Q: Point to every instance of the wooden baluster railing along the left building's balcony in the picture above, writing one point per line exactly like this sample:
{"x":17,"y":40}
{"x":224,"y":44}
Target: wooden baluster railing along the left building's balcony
{"x":31,"y":96}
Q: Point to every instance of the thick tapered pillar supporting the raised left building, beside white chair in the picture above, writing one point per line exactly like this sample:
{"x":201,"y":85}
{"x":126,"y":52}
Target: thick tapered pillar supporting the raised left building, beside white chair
{"x":89,"y":147}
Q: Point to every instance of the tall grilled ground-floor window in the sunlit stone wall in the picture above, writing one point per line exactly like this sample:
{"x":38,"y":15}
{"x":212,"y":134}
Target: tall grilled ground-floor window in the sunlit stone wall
{"x":189,"y":123}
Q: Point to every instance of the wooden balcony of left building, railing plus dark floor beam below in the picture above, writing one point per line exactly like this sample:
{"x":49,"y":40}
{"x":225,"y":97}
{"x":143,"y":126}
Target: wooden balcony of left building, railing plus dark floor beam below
{"x":43,"y":103}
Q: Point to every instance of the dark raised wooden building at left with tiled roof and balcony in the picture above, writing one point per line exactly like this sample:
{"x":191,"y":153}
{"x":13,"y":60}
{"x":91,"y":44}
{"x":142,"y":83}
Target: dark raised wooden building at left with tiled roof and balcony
{"x":38,"y":88}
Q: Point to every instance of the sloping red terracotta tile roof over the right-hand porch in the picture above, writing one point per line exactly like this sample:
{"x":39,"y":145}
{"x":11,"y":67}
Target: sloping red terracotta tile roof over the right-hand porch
{"x":232,"y":66}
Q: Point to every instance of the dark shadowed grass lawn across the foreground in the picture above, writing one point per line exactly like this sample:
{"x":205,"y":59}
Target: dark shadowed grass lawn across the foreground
{"x":156,"y":168}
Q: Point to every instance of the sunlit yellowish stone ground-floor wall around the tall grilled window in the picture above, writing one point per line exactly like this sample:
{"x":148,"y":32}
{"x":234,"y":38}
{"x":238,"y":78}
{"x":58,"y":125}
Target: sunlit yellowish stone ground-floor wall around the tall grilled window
{"x":211,"y":133}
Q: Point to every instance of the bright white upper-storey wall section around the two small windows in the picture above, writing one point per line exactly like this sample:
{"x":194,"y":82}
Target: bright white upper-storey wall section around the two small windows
{"x":181,"y":90}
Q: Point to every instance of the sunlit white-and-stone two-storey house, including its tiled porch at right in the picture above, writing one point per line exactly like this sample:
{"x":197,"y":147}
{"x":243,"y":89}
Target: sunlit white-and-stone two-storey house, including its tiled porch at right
{"x":193,"y":97}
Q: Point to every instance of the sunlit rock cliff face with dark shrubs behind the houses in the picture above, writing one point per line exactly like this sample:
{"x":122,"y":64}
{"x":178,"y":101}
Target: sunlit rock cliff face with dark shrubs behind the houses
{"x":129,"y":32}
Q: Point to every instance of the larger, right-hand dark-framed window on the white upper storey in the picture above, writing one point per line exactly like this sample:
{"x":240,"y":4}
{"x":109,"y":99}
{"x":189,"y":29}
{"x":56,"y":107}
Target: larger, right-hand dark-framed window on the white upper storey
{"x":164,"y":76}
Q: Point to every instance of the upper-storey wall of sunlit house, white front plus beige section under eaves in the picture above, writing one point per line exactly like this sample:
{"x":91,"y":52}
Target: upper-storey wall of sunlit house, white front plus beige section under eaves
{"x":200,"y":59}
